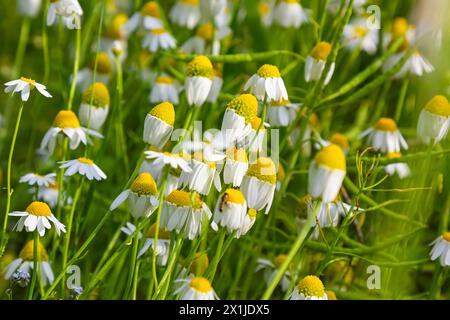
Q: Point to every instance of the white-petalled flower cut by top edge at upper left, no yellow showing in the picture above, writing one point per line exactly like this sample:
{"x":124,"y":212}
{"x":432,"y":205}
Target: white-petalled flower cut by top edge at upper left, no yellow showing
{"x":68,"y":10}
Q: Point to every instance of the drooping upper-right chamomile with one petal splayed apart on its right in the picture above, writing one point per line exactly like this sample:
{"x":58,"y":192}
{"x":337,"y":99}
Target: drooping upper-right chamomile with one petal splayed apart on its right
{"x":316,"y":61}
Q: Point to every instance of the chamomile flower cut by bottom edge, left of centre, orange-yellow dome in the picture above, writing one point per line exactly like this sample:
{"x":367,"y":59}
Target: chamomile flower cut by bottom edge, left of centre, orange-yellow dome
{"x":196,"y":288}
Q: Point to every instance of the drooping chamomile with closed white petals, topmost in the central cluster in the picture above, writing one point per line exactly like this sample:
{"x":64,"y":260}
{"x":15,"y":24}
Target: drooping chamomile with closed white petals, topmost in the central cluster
{"x":198,"y":82}
